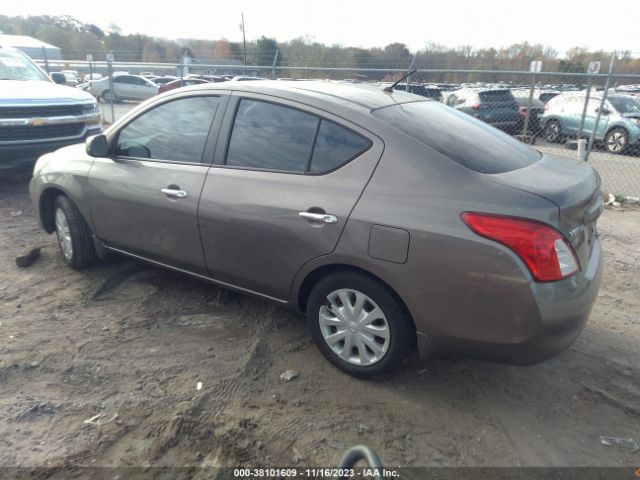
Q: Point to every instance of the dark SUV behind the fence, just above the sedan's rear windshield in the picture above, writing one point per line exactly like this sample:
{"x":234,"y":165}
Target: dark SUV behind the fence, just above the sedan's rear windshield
{"x":497,"y":107}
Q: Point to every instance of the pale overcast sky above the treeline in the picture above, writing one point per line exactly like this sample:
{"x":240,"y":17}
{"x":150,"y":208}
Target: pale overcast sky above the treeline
{"x":557,"y":23}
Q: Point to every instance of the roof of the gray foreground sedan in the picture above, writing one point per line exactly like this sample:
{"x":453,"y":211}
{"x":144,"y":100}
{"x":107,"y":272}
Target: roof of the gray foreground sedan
{"x":365,"y":96}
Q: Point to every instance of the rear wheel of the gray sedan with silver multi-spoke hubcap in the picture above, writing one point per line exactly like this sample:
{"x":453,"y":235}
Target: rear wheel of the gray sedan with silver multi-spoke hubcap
{"x":329,"y":316}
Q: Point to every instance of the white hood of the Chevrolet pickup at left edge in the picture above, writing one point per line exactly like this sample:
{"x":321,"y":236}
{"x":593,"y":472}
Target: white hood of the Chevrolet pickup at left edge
{"x":20,"y":92}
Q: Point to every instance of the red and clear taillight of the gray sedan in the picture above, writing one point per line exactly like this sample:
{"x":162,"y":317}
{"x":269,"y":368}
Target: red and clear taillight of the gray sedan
{"x":545,"y":252}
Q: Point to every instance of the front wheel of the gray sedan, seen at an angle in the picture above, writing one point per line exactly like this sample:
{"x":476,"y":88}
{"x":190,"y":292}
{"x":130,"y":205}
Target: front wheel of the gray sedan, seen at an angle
{"x":74,"y":236}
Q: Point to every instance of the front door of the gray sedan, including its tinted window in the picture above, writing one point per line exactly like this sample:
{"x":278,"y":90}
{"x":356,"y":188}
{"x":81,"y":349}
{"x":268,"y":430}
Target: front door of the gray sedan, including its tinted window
{"x":144,"y":198}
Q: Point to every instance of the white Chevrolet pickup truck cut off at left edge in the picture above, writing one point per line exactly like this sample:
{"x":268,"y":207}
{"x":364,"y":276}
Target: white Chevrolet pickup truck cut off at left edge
{"x":37,"y":115}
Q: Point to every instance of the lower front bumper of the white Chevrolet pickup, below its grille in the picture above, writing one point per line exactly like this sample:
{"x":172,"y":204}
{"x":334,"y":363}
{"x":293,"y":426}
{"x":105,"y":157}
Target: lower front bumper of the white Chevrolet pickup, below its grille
{"x":21,"y":157}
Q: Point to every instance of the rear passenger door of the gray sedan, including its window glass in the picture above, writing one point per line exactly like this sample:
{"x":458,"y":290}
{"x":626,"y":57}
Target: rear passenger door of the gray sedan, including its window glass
{"x":284,"y":184}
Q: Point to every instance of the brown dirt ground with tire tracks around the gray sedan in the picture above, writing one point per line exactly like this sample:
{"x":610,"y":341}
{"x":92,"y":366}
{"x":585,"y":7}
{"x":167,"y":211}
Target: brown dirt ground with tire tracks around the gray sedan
{"x":101,"y":367}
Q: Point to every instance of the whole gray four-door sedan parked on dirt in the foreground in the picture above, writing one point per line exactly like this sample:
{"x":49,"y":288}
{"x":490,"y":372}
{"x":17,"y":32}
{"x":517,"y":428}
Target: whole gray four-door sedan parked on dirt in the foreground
{"x":398,"y":225}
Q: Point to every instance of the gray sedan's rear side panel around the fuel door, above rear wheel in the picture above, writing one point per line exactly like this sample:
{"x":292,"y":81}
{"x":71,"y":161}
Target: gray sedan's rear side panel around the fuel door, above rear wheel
{"x":454,"y":283}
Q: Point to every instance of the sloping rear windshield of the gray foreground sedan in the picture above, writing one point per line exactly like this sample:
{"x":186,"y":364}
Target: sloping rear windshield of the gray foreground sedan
{"x":460,"y":137}
